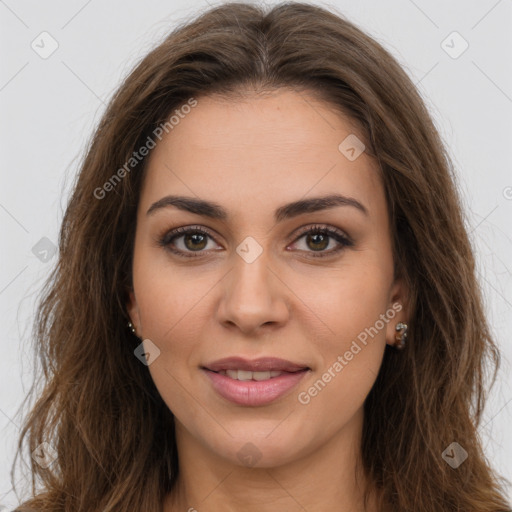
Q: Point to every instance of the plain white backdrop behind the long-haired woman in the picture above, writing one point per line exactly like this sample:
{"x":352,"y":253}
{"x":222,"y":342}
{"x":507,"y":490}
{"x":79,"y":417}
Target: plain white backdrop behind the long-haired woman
{"x":49,"y":106}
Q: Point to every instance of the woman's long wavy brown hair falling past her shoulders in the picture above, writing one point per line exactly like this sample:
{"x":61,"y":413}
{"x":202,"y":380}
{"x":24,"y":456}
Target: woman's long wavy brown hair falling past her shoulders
{"x":99,"y":408}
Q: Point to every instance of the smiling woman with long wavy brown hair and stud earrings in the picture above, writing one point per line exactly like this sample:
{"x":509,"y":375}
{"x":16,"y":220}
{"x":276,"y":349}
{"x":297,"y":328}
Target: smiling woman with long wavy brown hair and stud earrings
{"x":266,"y":296}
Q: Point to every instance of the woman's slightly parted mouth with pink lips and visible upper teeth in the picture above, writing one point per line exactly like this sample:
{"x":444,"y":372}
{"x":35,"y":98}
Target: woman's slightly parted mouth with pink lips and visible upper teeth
{"x":254,"y":383}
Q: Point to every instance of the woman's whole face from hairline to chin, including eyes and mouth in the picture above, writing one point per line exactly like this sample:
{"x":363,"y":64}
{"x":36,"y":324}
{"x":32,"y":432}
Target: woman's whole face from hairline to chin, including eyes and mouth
{"x":310,"y":284}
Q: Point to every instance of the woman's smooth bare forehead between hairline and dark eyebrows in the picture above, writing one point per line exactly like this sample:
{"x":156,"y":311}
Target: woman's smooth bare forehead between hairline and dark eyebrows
{"x":245,"y":152}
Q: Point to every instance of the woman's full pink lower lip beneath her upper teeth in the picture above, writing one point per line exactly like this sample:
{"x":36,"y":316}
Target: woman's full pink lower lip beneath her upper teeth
{"x":252,"y":392}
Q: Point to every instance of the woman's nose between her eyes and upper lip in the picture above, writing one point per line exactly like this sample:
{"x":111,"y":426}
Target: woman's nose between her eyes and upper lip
{"x":253,"y":296}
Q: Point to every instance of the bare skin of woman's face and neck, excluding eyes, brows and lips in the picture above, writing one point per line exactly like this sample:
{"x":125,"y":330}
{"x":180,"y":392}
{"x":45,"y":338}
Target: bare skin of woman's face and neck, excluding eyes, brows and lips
{"x":252,"y":156}
